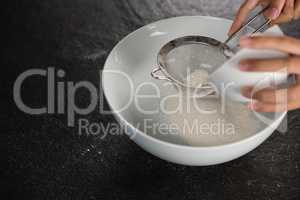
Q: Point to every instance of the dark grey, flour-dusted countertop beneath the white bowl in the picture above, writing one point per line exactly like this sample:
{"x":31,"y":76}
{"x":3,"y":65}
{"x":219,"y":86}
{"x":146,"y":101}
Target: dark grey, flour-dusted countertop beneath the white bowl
{"x":48,"y":160}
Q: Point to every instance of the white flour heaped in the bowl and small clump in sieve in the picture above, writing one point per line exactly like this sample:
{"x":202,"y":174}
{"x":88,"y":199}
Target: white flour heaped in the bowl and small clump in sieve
{"x":190,"y":121}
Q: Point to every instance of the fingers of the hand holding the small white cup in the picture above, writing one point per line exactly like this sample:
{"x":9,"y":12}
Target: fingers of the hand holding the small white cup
{"x":273,"y":99}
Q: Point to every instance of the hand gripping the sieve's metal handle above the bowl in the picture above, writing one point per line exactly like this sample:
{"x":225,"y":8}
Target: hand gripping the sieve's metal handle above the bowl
{"x":279,"y":11}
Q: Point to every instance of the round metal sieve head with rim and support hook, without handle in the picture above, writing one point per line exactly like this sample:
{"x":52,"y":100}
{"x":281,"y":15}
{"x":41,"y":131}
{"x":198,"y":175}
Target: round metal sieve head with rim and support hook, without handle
{"x":181,"y":57}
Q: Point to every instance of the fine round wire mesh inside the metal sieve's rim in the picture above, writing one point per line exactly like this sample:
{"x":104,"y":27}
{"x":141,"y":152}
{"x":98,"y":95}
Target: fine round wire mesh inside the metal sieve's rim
{"x":184,"y":56}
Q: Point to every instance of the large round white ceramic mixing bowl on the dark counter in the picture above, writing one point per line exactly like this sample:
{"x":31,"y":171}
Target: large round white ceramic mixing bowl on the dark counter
{"x":135,"y":57}
